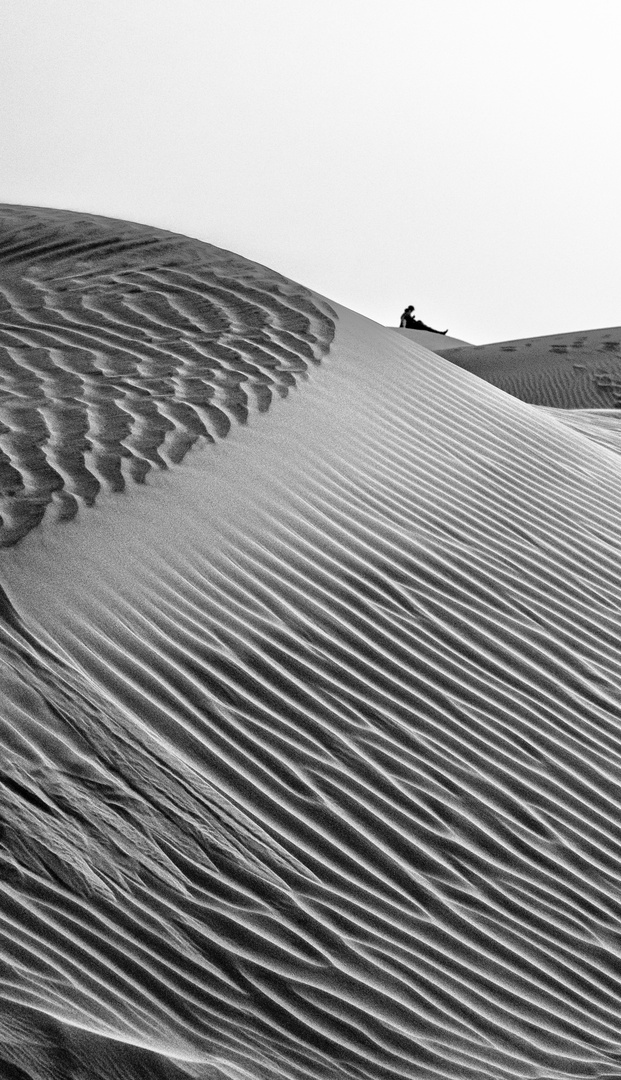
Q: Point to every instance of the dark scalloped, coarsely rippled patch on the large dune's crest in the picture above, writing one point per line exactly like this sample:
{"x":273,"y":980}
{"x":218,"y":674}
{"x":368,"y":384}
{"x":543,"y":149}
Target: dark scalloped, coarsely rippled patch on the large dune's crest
{"x":123,"y":346}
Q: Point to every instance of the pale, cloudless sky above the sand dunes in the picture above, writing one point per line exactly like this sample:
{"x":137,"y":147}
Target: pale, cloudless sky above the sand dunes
{"x":462,"y":156}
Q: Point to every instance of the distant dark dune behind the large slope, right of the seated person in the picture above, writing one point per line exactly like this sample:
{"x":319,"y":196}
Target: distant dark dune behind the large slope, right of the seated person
{"x":562,"y":371}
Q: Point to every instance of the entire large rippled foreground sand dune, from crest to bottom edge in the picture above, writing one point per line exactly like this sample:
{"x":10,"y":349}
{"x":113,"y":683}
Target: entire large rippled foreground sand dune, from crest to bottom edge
{"x":312,"y":740}
